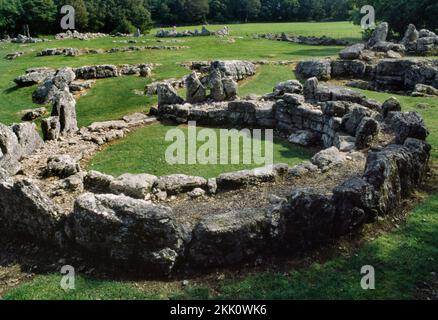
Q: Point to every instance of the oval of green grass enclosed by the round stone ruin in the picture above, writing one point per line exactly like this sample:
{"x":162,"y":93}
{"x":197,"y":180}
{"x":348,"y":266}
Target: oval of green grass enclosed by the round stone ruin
{"x":144,"y":151}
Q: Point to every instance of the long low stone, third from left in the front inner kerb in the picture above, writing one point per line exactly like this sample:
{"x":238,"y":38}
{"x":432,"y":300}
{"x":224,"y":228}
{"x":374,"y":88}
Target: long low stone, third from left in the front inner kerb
{"x":179,"y":183}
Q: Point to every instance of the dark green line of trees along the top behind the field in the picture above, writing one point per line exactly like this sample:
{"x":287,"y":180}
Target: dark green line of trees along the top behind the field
{"x":110,"y":16}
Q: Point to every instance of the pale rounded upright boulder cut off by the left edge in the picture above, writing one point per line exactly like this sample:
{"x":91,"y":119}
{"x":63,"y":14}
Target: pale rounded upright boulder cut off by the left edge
{"x":10,"y":150}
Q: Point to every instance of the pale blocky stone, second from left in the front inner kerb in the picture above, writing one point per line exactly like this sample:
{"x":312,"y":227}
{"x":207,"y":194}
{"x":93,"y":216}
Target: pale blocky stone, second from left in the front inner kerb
{"x":137,"y":186}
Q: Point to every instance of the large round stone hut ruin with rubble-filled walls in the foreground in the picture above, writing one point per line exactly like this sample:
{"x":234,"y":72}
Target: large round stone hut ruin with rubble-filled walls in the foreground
{"x":373,"y":155}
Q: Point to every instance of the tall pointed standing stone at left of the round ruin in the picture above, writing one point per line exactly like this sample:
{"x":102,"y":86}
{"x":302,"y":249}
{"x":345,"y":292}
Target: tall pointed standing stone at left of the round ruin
{"x":64,"y":107}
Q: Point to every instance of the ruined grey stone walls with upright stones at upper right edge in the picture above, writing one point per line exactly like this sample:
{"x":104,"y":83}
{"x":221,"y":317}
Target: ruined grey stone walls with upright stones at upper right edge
{"x":379,"y":65}
